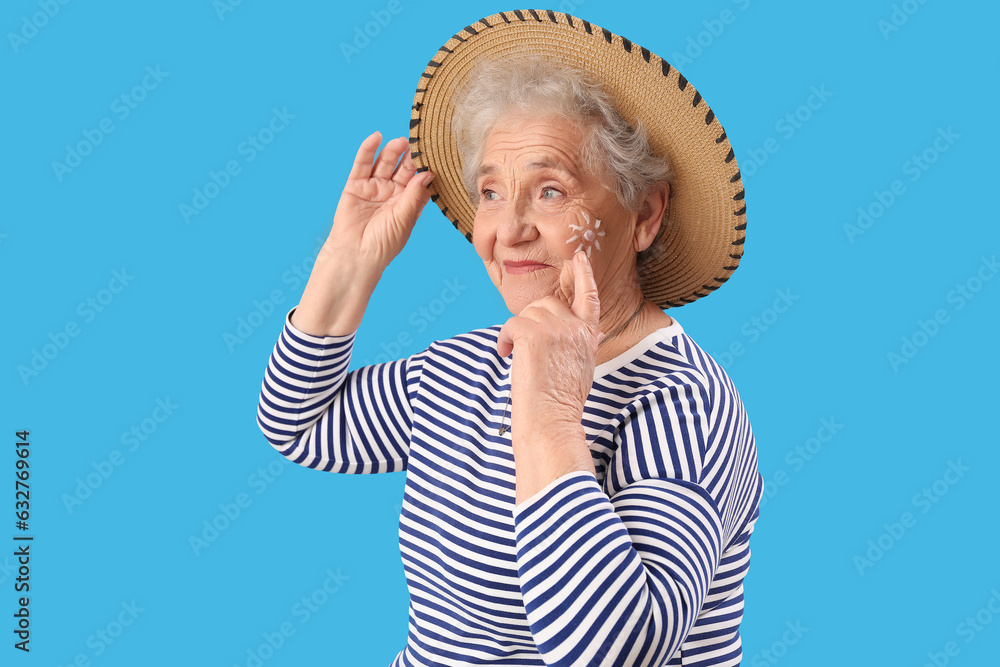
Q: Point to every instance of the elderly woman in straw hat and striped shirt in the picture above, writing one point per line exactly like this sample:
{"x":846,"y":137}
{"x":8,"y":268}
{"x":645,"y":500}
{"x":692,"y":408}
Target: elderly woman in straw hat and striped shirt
{"x":581,"y":481}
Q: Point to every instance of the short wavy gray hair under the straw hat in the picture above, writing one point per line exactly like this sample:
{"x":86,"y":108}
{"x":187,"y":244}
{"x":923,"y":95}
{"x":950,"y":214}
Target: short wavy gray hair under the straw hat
{"x":526,"y":83}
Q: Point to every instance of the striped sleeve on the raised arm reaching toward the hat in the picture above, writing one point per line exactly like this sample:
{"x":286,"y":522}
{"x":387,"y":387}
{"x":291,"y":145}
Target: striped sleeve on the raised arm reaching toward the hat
{"x":319,"y":415}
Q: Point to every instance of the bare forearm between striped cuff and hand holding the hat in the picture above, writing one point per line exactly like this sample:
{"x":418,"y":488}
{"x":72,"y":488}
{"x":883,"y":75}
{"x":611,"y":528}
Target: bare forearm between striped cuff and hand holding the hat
{"x":337,"y":293}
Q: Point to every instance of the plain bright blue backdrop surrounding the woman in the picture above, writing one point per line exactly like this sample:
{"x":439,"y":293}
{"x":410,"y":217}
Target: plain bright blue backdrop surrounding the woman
{"x":827,"y":555}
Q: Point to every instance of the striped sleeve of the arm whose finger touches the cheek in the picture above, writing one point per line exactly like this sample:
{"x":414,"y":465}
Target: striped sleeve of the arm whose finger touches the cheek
{"x":618,"y":575}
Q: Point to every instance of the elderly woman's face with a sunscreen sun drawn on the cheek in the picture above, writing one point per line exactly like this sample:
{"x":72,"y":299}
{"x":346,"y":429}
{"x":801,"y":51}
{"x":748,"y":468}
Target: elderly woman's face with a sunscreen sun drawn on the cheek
{"x":538,"y":204}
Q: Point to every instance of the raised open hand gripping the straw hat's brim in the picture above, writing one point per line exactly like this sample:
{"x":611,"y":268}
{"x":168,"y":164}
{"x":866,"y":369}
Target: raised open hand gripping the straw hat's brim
{"x":381,"y":202}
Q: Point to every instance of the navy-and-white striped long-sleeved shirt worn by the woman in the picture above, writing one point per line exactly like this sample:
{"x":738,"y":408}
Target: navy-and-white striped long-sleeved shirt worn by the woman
{"x":641,"y":565}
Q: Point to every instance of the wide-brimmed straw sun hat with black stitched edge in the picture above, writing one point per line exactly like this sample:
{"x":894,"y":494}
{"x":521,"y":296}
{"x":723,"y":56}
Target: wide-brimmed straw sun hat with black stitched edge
{"x":706,"y":218}
